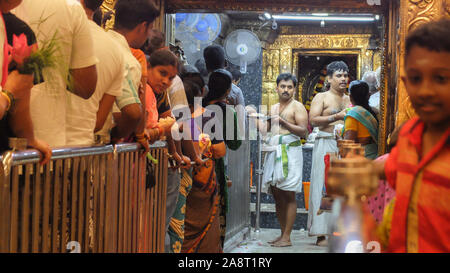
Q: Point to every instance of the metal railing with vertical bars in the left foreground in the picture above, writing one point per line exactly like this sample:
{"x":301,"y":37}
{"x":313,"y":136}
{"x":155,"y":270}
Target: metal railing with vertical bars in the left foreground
{"x":93,"y":199}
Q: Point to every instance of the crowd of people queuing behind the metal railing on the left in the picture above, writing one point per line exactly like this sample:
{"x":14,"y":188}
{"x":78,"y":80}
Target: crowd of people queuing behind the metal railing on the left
{"x":123,"y":85}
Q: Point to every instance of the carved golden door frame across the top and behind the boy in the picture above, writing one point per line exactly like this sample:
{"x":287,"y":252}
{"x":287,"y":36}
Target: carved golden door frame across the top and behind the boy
{"x":399,"y":17}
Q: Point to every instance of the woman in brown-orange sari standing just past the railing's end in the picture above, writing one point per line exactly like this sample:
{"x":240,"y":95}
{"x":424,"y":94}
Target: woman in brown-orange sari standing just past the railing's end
{"x":202,"y":221}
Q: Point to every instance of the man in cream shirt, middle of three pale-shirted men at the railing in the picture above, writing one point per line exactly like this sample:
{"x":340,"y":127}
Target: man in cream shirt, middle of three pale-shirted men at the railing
{"x":84,"y":116}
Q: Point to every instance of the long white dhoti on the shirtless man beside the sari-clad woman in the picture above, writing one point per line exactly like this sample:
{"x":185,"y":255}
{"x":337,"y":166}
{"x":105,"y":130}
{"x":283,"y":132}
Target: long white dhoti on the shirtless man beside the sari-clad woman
{"x":323,"y":144}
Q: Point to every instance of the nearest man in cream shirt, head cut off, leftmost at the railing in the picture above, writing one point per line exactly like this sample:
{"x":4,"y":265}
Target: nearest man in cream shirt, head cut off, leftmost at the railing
{"x":66,"y":22}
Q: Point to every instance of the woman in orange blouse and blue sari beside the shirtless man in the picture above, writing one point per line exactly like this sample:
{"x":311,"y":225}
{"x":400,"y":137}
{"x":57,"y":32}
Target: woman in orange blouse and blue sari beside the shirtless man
{"x":361,"y":122}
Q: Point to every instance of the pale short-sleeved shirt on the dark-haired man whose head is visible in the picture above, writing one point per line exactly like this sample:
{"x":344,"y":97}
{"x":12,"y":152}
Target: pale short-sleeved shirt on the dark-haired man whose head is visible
{"x":133,"y":74}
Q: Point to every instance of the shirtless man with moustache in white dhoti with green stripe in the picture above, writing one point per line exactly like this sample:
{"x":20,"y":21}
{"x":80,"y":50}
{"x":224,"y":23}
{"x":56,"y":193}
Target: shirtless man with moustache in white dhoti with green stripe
{"x":288,"y":122}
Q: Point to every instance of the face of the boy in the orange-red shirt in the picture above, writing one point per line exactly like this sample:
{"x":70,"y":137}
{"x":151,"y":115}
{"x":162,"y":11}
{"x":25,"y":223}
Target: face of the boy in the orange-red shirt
{"x":427,"y":82}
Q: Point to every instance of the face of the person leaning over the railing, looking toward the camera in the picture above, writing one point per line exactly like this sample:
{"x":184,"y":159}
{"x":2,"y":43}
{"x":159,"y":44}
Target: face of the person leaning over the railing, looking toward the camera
{"x":160,"y":77}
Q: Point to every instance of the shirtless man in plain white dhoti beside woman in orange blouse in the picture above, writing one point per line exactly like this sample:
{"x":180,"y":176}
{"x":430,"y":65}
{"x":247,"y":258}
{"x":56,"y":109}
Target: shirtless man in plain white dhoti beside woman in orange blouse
{"x":327,"y":110}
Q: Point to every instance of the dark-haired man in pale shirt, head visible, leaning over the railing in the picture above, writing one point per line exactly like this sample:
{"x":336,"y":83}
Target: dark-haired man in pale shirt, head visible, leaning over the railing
{"x":133,"y":23}
